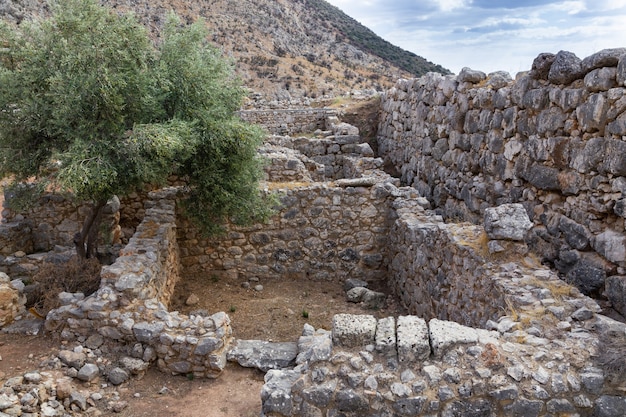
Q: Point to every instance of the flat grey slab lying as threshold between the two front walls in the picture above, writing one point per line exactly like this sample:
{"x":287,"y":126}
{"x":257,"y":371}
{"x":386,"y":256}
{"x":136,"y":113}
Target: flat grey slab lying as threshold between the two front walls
{"x":263,"y":355}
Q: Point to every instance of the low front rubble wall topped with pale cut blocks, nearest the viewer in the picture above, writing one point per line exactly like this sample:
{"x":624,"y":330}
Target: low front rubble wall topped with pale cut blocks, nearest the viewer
{"x":412,"y":367}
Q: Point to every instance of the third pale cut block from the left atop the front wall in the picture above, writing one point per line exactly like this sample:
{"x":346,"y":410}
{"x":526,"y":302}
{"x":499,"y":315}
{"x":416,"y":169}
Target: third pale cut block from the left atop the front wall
{"x":413,"y":342}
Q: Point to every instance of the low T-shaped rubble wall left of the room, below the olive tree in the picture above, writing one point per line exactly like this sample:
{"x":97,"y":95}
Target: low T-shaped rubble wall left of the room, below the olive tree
{"x":130,"y":307}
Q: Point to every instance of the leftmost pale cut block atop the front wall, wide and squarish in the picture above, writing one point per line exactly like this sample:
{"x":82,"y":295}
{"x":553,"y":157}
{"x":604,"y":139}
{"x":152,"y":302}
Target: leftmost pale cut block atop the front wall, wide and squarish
{"x":352,"y":331}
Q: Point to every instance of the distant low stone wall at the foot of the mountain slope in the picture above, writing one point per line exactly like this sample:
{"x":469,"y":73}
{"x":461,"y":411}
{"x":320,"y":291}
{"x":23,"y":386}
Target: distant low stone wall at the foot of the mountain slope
{"x":291,"y":121}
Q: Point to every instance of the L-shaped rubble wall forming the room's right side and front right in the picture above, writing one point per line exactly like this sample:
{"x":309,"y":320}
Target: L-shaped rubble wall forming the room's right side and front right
{"x":535,"y":353}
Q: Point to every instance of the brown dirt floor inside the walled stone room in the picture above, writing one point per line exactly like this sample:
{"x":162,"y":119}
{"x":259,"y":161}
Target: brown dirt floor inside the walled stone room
{"x":278,"y":312}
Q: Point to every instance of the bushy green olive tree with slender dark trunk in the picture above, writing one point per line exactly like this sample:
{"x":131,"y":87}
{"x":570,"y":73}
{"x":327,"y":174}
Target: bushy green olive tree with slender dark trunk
{"x":90,"y":105}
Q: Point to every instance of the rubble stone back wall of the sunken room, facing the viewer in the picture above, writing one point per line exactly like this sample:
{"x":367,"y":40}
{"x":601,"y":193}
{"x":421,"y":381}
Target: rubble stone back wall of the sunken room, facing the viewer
{"x":322,"y":231}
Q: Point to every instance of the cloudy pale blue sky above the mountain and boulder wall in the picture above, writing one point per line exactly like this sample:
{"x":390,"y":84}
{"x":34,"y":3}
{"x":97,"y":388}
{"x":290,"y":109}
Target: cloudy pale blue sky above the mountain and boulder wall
{"x":492,"y":35}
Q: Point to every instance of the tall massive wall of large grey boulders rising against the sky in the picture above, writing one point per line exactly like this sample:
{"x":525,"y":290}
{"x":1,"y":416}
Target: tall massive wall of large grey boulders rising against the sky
{"x":553,"y":140}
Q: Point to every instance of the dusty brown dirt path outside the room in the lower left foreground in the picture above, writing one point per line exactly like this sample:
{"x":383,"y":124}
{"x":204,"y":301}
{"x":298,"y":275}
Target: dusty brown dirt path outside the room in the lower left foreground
{"x":234,"y":394}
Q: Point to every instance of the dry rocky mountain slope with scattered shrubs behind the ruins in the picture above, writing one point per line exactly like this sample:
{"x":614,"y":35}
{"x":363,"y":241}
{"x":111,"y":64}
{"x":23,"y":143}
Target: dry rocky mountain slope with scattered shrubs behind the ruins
{"x":284,"y":49}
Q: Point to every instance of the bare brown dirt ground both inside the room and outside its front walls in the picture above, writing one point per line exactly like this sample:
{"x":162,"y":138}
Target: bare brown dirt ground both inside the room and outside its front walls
{"x":275,"y":313}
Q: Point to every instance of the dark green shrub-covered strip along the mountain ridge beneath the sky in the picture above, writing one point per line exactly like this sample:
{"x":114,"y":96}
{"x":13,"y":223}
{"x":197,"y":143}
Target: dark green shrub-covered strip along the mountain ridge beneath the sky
{"x":367,"y":40}
